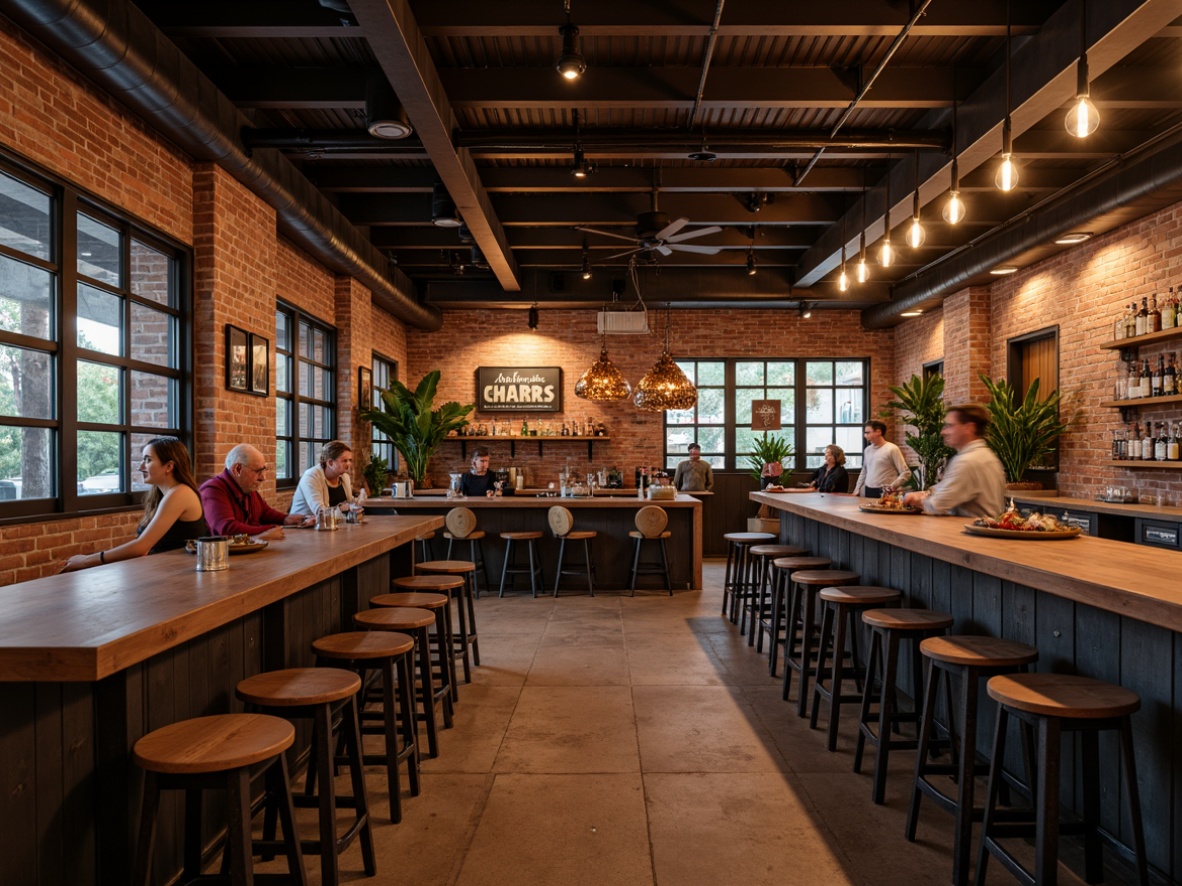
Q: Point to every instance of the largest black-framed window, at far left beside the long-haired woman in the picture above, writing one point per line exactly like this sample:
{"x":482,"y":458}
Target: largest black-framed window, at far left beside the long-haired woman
{"x":93,"y":348}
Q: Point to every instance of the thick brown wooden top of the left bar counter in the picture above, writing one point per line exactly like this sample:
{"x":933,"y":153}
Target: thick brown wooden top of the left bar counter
{"x":88,"y":626}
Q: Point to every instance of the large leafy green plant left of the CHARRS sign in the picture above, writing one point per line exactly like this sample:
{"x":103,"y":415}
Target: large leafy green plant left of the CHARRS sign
{"x":414,"y":426}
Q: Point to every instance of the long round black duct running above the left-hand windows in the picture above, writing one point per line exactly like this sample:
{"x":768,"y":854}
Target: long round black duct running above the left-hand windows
{"x":120,"y":50}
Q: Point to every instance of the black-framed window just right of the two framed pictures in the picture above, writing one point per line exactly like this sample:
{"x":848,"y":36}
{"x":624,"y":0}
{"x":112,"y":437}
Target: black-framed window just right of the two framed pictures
{"x":306,"y":392}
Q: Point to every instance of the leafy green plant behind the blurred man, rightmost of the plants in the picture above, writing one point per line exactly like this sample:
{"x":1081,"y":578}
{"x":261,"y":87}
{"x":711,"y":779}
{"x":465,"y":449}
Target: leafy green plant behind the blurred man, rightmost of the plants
{"x":1023,"y":432}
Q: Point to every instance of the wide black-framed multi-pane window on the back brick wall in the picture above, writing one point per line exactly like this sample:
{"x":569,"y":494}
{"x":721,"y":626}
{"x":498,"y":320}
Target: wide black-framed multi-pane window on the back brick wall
{"x":822,"y":402}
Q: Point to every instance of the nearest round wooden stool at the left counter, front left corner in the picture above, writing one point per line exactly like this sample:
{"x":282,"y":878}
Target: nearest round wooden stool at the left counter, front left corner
{"x":224,"y":752}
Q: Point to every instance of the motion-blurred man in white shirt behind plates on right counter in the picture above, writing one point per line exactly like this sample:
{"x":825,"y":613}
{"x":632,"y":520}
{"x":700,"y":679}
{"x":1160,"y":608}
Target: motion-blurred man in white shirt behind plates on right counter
{"x":975,"y":483}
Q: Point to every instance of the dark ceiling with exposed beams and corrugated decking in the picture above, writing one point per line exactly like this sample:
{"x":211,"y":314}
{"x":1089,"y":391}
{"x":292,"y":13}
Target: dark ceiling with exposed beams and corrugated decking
{"x":768,"y":88}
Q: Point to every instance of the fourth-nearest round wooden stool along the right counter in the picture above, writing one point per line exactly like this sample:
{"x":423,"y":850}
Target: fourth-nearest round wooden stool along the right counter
{"x":841,"y":620}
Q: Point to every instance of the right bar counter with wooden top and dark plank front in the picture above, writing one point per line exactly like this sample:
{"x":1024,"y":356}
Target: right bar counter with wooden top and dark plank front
{"x":1094,"y":607}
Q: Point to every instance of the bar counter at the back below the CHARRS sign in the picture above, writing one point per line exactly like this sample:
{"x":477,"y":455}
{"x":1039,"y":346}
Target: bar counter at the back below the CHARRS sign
{"x":612,"y":517}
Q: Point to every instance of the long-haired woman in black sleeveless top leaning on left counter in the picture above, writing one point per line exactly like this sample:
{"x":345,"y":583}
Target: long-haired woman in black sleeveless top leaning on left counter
{"x":172,"y":507}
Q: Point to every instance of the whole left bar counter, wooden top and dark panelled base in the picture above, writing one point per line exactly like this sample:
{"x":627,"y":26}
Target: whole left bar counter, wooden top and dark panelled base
{"x":94,"y":660}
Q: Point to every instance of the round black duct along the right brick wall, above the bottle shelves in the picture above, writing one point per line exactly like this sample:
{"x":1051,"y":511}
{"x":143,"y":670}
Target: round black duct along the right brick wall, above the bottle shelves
{"x":1119,"y":192}
